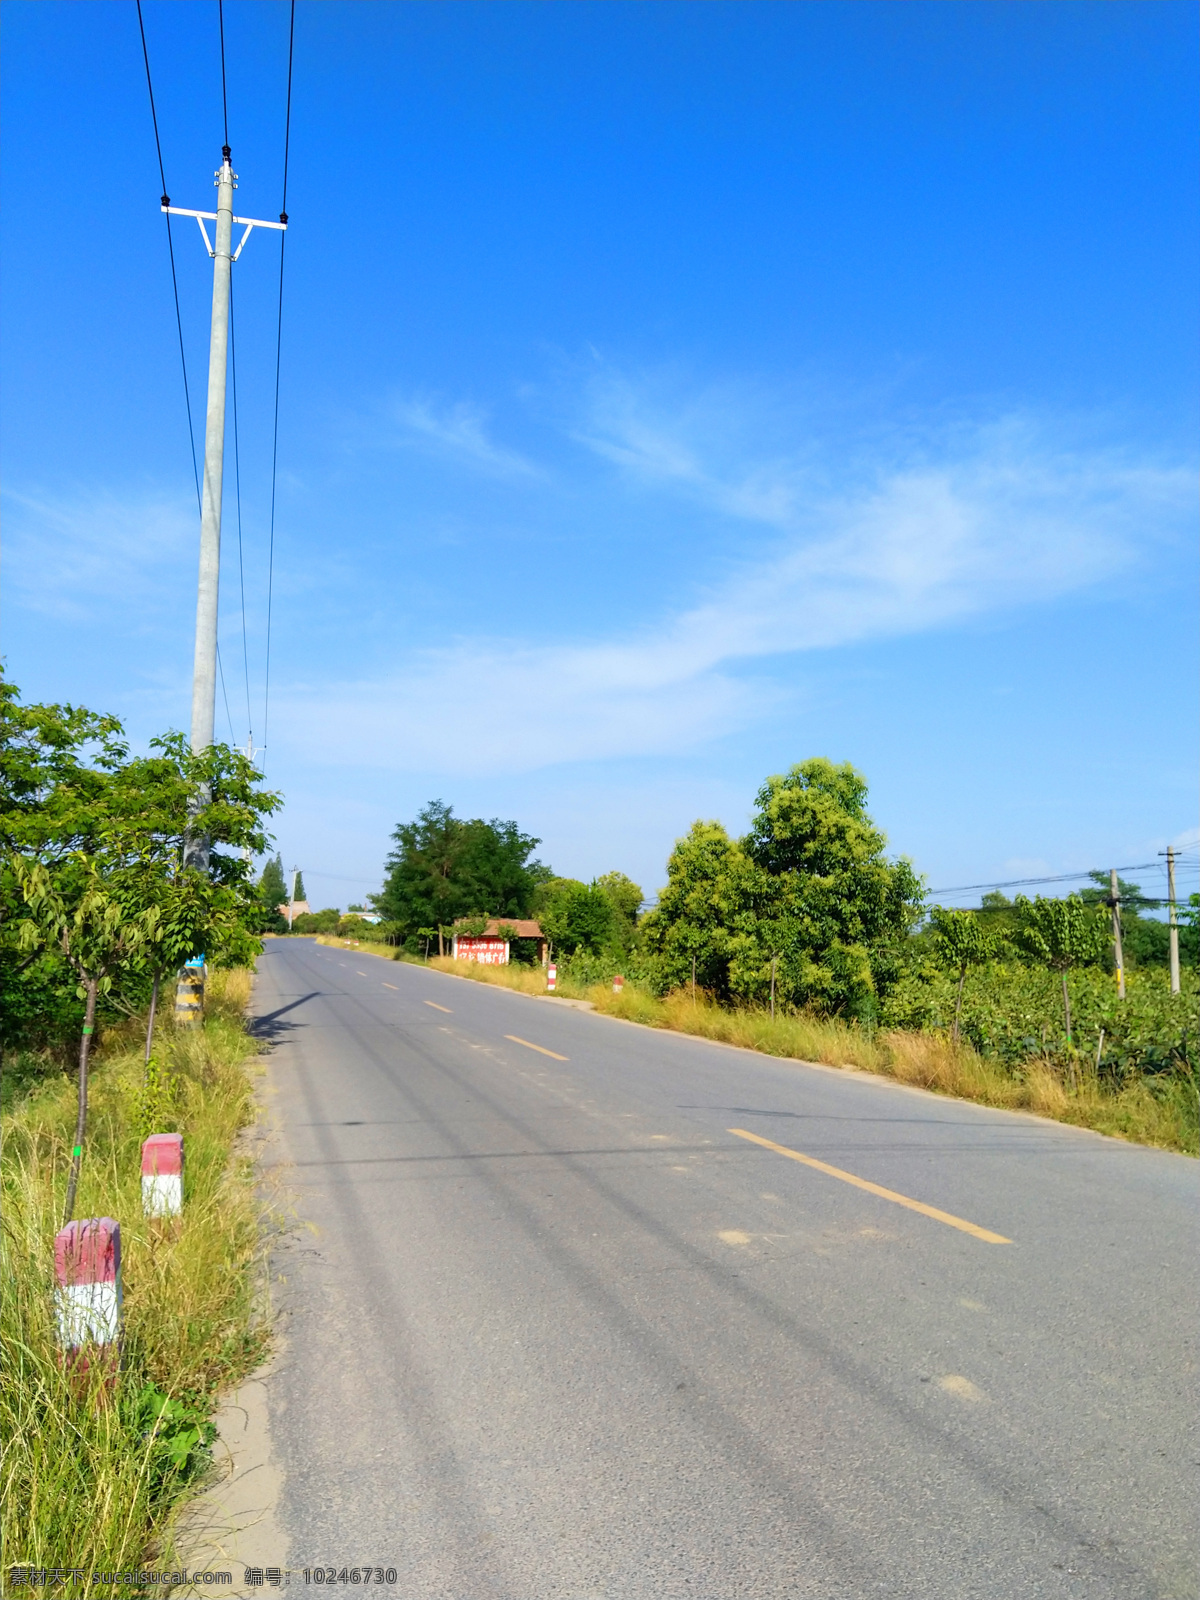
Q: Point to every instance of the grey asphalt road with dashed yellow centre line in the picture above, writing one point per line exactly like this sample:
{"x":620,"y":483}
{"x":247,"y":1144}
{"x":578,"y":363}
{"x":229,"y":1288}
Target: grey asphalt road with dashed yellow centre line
{"x":558,"y":1332}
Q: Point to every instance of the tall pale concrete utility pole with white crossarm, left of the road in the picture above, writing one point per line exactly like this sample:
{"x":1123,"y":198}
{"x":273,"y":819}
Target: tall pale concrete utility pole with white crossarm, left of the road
{"x":223,"y":254}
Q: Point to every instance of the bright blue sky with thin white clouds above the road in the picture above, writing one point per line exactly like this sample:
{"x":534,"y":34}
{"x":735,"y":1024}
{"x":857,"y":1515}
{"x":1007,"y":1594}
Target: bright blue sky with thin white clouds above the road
{"x":671,"y":393}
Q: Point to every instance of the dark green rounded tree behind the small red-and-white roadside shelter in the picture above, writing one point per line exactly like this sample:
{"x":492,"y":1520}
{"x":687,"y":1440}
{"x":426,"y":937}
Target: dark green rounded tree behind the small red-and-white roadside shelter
{"x":446,"y":868}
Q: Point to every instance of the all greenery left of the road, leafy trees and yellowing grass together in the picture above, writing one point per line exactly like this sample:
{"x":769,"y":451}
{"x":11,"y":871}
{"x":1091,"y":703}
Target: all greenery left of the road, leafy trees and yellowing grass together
{"x":103,"y":900}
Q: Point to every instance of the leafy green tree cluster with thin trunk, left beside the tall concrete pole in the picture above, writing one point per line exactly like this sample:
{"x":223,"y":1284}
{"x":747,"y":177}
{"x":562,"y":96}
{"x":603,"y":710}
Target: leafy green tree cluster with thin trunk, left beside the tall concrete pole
{"x":94,"y":857}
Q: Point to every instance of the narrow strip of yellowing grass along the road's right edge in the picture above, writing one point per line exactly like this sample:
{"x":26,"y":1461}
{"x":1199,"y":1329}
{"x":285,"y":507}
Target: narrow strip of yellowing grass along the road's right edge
{"x":1162,"y":1111}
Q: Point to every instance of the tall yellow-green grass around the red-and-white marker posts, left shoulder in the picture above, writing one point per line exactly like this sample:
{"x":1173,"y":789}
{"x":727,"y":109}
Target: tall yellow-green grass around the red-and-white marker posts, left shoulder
{"x":92,"y":1479}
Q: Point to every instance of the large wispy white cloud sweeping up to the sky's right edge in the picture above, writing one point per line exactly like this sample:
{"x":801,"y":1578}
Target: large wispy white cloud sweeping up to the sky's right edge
{"x":921,"y":532}
